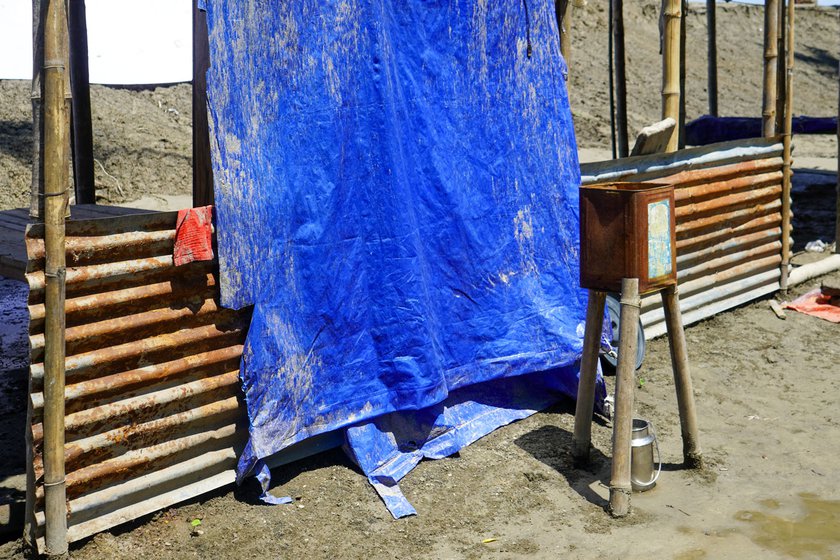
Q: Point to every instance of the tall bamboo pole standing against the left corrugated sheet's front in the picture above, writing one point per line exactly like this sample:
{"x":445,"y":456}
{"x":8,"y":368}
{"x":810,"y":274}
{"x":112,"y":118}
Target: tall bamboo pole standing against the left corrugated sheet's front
{"x":56,"y":183}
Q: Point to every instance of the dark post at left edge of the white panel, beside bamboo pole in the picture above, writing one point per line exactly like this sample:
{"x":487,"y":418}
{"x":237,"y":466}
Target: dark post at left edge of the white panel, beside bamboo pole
{"x":82,"y":127}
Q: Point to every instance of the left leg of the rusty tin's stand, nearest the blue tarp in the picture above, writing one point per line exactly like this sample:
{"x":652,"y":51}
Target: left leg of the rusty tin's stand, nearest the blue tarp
{"x":588,"y":370}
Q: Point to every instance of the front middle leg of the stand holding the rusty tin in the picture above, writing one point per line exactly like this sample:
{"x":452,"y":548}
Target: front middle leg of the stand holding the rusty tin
{"x":620,"y":487}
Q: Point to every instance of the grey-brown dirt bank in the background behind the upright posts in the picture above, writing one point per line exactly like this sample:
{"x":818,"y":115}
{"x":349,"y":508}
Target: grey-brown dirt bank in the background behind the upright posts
{"x":142,"y":138}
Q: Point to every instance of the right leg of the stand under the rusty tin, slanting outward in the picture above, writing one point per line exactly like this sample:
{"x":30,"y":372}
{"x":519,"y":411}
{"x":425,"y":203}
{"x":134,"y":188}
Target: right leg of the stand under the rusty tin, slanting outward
{"x":682,"y":378}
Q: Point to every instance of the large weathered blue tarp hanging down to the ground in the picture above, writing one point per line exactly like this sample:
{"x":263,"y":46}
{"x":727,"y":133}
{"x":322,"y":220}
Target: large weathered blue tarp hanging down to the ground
{"x":396,"y":190}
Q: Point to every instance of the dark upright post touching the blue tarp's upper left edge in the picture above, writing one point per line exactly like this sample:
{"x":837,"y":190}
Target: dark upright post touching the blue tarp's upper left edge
{"x":202,"y":168}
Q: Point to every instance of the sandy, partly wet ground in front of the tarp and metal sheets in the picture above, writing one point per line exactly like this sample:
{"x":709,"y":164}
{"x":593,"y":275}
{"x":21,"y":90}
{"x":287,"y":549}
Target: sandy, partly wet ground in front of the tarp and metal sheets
{"x":766,"y":395}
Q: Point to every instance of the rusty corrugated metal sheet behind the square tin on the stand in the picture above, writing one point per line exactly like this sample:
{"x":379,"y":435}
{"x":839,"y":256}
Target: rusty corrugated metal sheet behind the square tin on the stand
{"x":728,"y":222}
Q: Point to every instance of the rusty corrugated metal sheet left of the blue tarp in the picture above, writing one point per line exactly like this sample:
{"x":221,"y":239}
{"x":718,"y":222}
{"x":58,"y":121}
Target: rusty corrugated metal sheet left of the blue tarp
{"x":154,"y":413}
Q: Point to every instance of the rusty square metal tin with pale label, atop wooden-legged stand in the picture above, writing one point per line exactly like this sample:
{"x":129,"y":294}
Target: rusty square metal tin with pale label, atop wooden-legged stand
{"x":627,"y":230}
